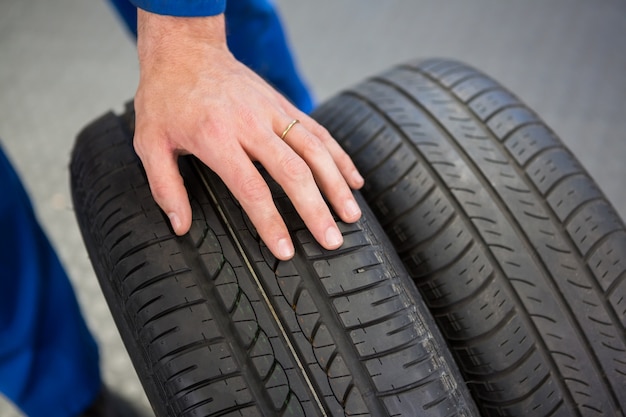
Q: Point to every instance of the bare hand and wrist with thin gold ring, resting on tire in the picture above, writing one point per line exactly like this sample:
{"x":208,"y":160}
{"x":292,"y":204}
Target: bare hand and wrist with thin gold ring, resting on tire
{"x":195,"y":98}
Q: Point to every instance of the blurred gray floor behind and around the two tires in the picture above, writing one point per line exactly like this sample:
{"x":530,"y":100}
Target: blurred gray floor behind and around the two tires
{"x":65,"y":62}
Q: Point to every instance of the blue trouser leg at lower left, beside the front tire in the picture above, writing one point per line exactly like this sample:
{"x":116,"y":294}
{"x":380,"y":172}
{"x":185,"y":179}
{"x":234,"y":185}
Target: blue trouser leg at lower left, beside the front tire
{"x":48,"y":359}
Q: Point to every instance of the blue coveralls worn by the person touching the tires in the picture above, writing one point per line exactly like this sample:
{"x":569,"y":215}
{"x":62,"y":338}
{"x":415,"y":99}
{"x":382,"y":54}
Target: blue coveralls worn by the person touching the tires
{"x":48,"y":359}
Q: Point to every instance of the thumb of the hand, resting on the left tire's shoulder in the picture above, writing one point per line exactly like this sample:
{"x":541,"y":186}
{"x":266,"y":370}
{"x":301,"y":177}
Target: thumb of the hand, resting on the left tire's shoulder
{"x":167,"y":187}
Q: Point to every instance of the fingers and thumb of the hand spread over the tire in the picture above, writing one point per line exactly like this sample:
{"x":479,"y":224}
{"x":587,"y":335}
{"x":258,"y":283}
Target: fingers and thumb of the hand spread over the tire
{"x":302,"y":163}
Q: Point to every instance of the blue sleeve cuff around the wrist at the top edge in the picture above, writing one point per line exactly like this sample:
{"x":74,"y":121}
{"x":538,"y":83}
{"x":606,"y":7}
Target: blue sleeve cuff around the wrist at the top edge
{"x":182,"y":8}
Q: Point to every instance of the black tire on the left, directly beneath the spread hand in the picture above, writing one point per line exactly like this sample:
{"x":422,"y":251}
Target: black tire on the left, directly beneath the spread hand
{"x":216,"y":326}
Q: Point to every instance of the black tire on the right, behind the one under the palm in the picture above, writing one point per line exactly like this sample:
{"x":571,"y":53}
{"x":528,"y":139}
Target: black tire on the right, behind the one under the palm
{"x":519,"y":256}
